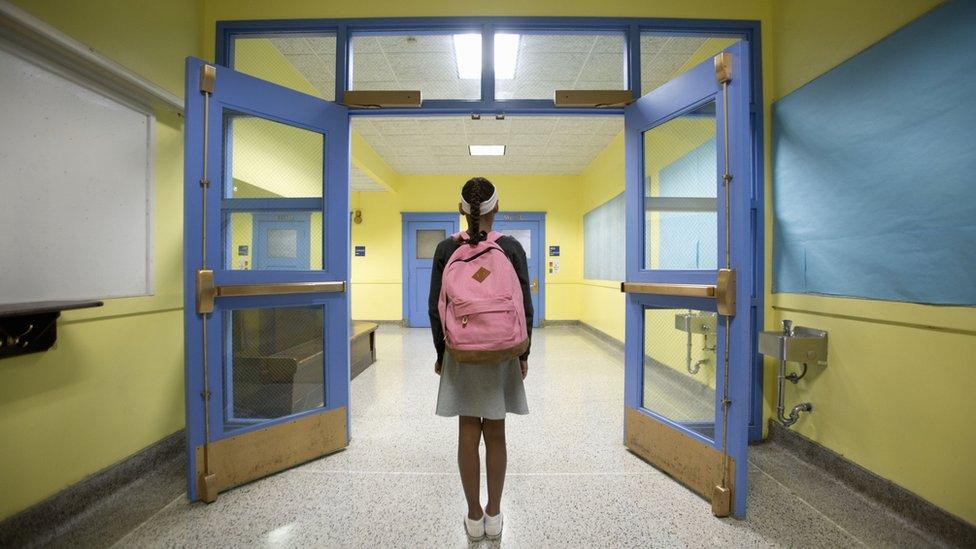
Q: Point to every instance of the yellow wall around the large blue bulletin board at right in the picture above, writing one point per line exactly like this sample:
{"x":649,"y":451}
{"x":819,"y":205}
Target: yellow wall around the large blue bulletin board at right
{"x":896,"y":396}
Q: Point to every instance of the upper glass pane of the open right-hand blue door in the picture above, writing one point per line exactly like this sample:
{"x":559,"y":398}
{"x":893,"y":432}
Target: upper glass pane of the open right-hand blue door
{"x":680,"y":185}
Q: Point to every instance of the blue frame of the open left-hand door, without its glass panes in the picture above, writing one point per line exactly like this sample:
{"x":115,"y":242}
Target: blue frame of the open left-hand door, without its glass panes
{"x":208,"y":205}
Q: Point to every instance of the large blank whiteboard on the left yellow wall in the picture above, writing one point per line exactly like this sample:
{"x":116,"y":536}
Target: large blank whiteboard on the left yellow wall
{"x":75,"y":187}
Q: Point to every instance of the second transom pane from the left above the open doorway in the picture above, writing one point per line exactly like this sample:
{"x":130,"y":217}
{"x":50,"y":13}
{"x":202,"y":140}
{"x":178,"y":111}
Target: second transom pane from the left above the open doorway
{"x":441,"y":66}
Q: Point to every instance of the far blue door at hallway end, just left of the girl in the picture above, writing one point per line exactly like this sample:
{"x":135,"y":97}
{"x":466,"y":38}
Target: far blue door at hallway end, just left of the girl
{"x":422,"y":232}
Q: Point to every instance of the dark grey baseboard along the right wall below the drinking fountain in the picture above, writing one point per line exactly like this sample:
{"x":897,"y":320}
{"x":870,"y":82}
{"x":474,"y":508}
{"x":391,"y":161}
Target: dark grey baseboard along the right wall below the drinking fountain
{"x":920,"y":512}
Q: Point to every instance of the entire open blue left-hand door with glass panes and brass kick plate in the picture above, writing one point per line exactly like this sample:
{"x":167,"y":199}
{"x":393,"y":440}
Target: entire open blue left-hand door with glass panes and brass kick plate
{"x":267,"y":345}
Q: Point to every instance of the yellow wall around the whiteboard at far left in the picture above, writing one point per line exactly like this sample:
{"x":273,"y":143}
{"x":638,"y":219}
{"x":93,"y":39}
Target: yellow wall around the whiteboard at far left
{"x":113,"y":384}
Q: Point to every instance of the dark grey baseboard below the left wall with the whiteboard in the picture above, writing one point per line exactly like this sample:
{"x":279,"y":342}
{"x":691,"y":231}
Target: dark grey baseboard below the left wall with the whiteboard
{"x":64,"y":514}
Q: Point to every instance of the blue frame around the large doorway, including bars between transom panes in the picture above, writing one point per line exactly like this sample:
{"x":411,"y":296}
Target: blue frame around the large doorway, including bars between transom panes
{"x":632,"y":27}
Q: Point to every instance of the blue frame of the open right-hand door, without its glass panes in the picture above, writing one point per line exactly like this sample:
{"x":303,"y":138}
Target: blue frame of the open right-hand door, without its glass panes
{"x":680,"y":96}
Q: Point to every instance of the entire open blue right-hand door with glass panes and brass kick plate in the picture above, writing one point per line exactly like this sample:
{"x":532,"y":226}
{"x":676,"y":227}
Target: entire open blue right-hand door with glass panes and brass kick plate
{"x":690,"y":278}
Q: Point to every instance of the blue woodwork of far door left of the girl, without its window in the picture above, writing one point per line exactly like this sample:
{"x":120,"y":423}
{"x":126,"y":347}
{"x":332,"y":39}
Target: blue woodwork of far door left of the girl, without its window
{"x":416,"y":272}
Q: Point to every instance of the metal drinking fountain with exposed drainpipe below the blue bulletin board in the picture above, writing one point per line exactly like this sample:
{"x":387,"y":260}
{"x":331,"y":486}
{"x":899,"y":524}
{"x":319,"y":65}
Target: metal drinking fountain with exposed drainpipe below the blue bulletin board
{"x":799,"y":344}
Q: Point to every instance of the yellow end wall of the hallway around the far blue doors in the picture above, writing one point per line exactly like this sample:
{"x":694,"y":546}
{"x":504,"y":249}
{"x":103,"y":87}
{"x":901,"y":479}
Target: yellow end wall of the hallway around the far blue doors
{"x":376,"y":278}
